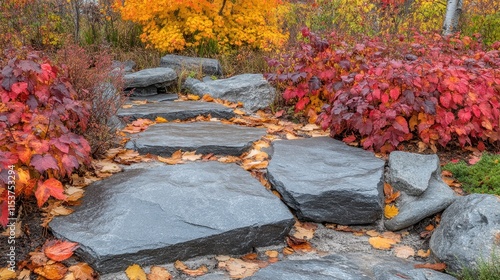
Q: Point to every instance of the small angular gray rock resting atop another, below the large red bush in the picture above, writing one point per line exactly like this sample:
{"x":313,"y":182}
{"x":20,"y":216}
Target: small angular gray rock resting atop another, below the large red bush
{"x":410,"y":172}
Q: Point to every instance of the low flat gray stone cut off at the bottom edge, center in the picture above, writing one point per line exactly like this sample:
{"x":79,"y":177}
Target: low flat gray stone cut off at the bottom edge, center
{"x":327,"y":268}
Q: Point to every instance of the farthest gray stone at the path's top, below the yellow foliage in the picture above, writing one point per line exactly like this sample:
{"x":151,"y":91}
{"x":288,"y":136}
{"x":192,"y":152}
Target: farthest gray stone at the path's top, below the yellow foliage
{"x":208,"y":66}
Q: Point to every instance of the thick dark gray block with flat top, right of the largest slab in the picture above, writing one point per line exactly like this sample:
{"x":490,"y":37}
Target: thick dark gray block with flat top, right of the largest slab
{"x":324,"y":180}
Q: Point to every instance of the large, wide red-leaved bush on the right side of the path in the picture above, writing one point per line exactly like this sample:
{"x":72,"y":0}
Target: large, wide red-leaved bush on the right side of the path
{"x":384,"y":91}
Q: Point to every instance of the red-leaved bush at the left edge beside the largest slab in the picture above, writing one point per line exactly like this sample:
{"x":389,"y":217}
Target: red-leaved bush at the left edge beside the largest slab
{"x":39,"y":114}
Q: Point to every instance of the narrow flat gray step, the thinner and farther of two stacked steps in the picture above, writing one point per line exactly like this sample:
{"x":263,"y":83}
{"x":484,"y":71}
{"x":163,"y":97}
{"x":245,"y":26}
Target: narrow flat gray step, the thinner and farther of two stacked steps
{"x":176,"y":110}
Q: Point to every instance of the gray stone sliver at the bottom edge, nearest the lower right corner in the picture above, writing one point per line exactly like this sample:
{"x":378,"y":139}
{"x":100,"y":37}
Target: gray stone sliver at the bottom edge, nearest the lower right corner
{"x":398,"y":270}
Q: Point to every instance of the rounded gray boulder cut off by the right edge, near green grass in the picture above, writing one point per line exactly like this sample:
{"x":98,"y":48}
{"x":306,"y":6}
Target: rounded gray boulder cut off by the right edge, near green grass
{"x":468,"y":231}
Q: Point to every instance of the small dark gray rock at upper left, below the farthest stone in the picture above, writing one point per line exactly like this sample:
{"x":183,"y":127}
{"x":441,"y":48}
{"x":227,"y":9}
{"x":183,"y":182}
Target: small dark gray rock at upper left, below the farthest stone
{"x":149,"y":79}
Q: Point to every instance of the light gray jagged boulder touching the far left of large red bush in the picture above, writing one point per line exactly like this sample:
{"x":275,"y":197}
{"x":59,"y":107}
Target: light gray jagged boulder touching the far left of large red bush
{"x":251,"y":89}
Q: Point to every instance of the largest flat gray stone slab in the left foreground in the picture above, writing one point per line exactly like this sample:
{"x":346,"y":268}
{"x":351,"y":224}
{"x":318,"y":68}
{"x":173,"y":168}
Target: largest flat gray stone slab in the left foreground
{"x":167,"y":213}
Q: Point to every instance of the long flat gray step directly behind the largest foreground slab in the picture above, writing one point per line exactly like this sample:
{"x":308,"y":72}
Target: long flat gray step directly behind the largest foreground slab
{"x":203,"y":137}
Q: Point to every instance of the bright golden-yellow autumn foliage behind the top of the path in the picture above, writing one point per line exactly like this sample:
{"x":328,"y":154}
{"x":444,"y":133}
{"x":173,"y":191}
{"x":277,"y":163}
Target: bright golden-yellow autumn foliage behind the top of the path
{"x":173,"y":25}
